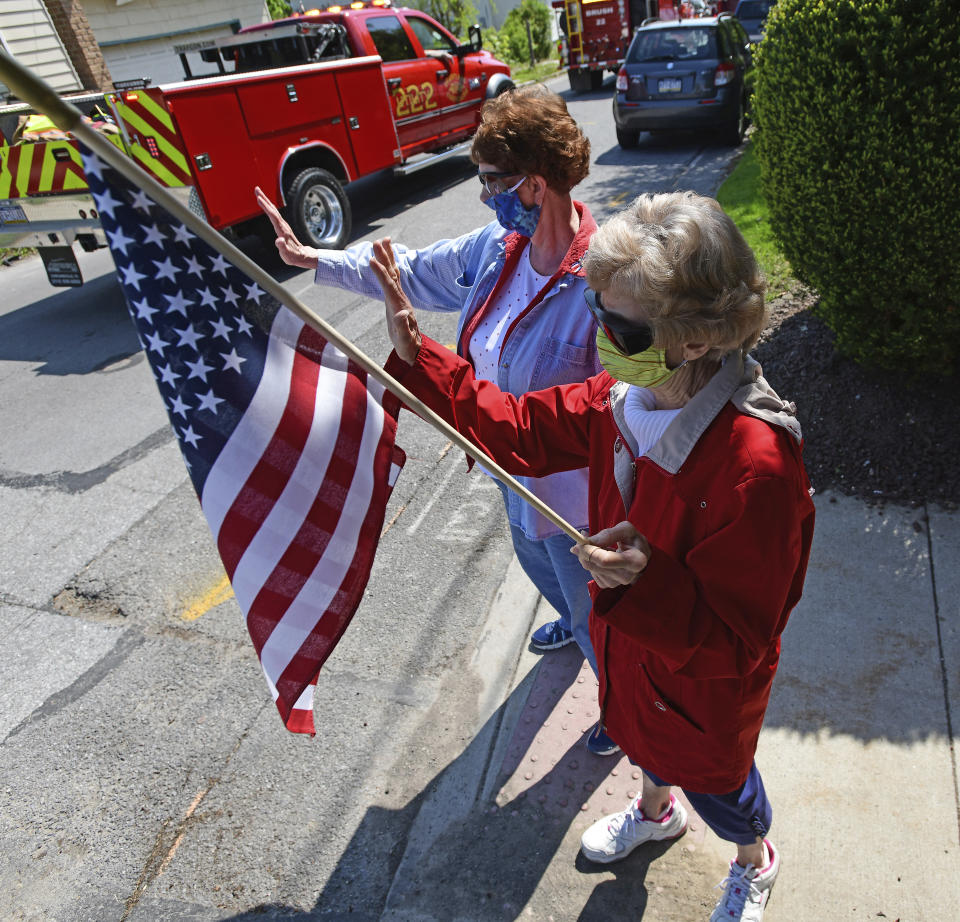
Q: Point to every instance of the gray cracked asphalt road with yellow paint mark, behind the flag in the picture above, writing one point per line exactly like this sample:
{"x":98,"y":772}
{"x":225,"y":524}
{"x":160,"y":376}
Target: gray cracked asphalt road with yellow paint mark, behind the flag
{"x":145,"y":772}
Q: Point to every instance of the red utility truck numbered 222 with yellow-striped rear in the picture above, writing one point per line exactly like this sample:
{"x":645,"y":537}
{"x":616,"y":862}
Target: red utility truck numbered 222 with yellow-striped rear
{"x":300,"y":106}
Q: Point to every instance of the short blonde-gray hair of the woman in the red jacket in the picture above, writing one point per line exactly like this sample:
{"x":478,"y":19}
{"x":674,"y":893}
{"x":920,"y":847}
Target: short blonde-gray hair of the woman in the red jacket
{"x":683,"y":261}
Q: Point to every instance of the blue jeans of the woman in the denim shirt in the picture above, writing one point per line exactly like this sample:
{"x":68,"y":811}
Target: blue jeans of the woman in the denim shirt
{"x":562,"y":582}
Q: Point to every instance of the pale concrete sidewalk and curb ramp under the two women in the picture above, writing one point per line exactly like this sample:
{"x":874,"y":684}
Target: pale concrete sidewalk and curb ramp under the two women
{"x":857,"y":755}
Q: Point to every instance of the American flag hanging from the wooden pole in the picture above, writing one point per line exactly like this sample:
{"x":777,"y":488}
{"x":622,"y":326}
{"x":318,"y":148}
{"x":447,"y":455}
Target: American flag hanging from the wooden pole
{"x":289,"y":444}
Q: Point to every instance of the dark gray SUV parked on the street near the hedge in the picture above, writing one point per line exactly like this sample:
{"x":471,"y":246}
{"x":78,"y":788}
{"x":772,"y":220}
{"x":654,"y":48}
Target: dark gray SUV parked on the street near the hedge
{"x":691,"y":74}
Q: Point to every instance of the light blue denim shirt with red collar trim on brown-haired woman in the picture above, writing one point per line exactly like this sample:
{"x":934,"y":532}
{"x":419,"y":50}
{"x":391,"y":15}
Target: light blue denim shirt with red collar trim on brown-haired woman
{"x":552,"y":343}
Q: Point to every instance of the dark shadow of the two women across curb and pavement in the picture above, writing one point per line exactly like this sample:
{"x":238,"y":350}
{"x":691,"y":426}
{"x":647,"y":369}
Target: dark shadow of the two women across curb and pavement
{"x":487,"y":857}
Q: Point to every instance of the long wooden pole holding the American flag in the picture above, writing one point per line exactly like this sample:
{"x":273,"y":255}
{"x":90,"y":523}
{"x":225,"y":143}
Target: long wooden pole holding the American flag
{"x":44,"y":99}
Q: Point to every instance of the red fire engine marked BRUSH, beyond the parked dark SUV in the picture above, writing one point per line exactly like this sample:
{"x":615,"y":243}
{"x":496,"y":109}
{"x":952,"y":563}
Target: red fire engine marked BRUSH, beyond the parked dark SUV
{"x":594,"y":34}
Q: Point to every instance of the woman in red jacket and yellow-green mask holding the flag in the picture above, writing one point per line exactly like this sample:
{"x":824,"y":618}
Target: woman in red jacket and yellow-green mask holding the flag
{"x":699,"y":506}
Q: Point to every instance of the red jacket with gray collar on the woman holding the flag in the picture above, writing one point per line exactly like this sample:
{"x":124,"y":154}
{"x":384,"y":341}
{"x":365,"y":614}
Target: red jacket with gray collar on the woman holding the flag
{"x":686,"y":654}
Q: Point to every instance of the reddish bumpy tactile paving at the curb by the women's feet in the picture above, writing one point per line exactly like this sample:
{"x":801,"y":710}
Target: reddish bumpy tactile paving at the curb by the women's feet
{"x":547,"y":764}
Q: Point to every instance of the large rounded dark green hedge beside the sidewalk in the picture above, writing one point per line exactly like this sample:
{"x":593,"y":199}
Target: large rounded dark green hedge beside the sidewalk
{"x":857,"y":104}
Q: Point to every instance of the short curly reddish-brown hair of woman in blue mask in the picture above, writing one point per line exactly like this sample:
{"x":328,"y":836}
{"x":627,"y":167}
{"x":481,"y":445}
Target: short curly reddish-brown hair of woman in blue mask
{"x":528,"y":130}
